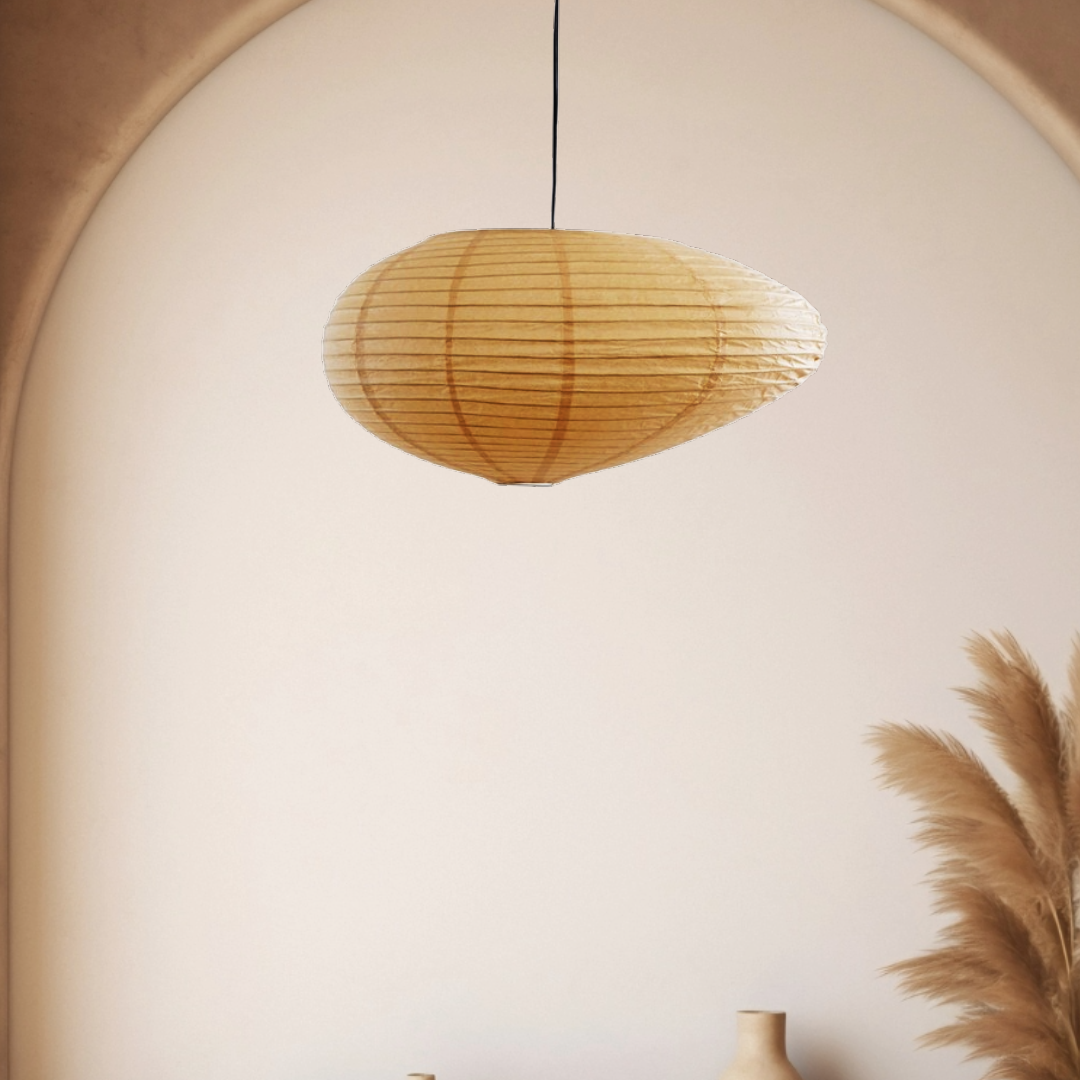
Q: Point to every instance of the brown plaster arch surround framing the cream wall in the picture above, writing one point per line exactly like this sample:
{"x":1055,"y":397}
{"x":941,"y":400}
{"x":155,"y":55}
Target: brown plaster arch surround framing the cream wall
{"x":84,"y":86}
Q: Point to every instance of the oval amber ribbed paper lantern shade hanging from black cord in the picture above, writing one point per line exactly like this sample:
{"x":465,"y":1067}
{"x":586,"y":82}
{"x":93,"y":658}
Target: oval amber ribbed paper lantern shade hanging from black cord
{"x":532,"y":356}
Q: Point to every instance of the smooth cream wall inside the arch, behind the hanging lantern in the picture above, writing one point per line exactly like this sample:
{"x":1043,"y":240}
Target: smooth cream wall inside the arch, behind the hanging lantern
{"x":336,"y":765}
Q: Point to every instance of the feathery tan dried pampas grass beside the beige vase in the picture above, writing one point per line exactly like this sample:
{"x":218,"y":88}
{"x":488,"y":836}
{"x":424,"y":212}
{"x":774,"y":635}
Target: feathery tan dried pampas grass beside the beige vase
{"x":1009,"y":870}
